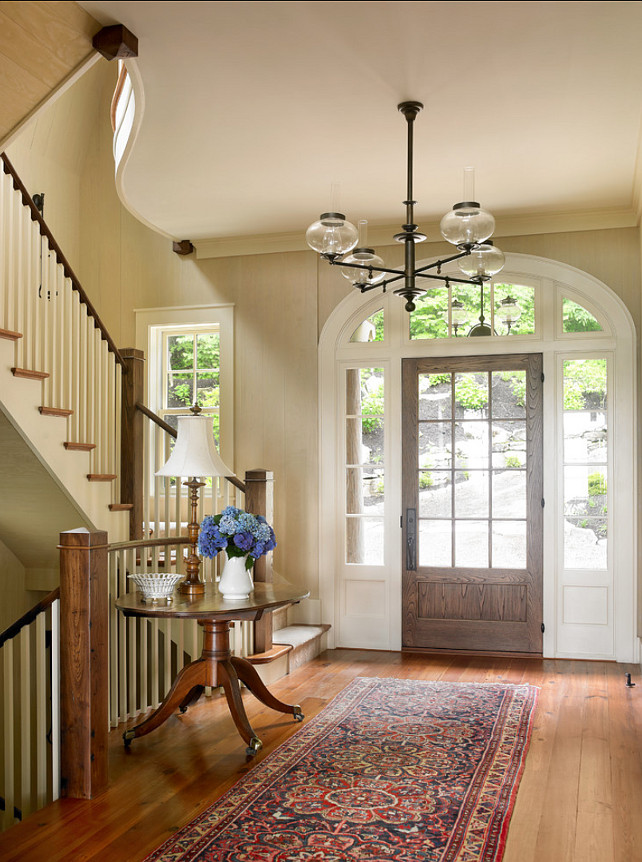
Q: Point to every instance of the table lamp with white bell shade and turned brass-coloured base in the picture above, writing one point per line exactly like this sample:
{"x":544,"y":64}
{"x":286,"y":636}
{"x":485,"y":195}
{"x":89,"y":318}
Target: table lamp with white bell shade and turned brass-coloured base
{"x":194,"y":455}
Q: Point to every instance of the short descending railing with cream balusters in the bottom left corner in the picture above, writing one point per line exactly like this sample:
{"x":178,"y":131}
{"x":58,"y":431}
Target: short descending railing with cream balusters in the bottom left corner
{"x":30,"y":715}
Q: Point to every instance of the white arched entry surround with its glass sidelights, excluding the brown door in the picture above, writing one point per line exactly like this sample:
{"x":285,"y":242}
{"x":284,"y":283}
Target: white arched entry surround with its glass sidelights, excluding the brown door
{"x":588,"y":483}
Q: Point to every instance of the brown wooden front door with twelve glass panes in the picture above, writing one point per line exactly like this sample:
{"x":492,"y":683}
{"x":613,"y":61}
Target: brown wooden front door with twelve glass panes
{"x":472,"y":498}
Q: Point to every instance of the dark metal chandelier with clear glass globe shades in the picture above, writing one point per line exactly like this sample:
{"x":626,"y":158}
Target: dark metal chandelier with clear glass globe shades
{"x":467,"y":226}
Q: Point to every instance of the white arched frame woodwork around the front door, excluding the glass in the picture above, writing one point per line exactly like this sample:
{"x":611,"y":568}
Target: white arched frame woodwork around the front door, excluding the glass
{"x":552,"y":279}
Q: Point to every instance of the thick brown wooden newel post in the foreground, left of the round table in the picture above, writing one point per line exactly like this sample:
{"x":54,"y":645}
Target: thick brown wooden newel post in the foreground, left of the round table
{"x":84,"y":667}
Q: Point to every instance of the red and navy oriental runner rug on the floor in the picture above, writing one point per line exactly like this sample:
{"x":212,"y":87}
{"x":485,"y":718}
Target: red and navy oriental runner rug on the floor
{"x":391,"y":770}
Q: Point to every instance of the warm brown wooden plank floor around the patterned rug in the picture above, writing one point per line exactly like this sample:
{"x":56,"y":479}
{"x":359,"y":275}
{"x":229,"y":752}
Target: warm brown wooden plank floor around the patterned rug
{"x":580,"y":798}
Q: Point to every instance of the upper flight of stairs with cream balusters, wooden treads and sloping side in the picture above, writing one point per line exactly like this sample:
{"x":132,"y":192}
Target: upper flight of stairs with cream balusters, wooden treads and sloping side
{"x":60,"y":371}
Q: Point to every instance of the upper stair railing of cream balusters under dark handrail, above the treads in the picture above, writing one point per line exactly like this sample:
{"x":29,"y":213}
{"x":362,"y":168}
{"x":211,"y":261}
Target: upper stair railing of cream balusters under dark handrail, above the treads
{"x":59,"y":336}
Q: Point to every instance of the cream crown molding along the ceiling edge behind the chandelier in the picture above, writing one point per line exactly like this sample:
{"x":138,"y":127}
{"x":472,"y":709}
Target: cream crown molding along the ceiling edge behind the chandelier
{"x":381,"y":235}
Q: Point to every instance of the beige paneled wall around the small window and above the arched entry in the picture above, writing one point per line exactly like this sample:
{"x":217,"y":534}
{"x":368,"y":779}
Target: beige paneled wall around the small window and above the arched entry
{"x":281,"y":300}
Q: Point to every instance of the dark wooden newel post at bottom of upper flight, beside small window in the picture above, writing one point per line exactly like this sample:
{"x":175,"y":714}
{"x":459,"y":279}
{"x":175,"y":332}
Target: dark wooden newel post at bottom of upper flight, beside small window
{"x":132,"y":438}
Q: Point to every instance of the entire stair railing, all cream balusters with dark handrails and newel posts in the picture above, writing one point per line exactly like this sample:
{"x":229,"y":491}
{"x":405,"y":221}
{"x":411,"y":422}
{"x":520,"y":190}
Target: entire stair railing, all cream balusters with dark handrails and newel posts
{"x":61,"y":340}
